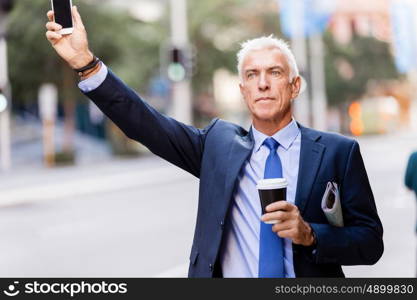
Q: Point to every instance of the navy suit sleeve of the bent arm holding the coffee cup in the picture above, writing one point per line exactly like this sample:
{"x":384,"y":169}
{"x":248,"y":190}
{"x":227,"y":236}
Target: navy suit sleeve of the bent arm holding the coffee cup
{"x":359,"y":242}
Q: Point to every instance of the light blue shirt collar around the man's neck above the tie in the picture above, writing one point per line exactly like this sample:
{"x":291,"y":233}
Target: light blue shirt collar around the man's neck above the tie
{"x":285,"y":137}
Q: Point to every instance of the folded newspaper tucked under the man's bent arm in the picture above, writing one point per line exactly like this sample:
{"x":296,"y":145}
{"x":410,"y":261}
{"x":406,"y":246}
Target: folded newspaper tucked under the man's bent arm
{"x":331,"y":206}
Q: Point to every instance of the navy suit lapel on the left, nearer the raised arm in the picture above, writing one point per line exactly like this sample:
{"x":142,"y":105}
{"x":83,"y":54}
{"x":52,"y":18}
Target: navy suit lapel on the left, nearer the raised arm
{"x":240,"y":150}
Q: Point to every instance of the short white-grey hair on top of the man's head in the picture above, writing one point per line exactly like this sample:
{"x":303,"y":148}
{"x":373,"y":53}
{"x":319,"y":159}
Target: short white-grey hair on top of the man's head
{"x":263,"y":43}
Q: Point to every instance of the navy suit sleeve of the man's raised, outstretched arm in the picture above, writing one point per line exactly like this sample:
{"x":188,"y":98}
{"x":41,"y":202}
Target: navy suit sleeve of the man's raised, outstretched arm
{"x":180,"y":144}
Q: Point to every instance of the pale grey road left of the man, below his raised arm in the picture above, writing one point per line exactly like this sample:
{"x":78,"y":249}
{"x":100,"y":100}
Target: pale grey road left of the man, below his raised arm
{"x":125,"y":218}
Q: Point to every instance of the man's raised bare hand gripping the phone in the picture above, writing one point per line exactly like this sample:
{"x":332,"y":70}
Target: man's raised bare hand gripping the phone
{"x":73,"y":48}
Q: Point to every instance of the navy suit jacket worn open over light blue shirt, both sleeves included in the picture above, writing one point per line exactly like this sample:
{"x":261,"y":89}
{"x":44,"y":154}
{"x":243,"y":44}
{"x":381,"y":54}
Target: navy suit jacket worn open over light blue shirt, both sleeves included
{"x":216,"y":155}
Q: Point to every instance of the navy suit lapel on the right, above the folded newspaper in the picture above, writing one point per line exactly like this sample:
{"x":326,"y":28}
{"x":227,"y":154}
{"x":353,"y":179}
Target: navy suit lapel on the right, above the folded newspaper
{"x":311,"y":154}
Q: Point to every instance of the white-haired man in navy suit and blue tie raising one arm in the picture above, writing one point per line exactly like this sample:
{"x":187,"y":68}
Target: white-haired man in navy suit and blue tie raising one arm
{"x":229,"y":161}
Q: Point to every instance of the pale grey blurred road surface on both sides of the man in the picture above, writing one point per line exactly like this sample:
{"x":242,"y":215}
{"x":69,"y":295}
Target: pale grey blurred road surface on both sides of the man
{"x":136,"y":217}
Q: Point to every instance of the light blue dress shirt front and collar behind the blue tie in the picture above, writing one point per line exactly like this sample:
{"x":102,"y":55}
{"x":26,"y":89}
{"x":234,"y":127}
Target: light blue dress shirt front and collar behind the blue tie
{"x":240,"y":253}
